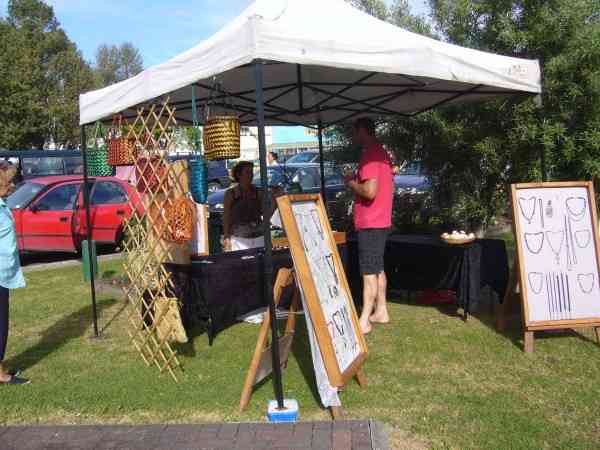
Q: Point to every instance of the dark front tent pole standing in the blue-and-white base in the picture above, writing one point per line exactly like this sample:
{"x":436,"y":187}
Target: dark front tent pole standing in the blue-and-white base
{"x":268,"y":250}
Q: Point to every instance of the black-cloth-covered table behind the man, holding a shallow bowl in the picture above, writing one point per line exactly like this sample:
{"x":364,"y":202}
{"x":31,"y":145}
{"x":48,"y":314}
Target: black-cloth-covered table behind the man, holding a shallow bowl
{"x":421,"y":262}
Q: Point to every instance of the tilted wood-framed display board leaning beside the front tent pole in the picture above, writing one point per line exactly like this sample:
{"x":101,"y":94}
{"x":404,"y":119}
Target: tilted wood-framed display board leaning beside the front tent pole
{"x":322,"y":280}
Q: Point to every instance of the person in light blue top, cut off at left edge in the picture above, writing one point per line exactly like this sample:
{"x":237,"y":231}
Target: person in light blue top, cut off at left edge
{"x":11,"y":277}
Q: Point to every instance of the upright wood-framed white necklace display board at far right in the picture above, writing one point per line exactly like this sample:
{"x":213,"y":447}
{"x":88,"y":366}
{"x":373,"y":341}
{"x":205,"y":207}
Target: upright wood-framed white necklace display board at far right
{"x":558,"y":255}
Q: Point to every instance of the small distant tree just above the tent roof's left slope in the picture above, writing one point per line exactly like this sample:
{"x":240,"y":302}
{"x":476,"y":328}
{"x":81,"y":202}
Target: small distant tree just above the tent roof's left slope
{"x":117,"y":63}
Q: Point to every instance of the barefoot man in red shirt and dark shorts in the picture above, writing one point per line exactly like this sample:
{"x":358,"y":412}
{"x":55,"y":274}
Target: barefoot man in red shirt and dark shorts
{"x":373,"y":185}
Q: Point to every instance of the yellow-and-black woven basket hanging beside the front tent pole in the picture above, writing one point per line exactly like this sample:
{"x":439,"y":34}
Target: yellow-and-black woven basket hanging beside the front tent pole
{"x":221,"y":138}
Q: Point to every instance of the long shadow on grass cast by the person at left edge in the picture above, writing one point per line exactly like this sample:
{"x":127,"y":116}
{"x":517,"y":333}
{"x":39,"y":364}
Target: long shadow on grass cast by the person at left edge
{"x":58,"y":335}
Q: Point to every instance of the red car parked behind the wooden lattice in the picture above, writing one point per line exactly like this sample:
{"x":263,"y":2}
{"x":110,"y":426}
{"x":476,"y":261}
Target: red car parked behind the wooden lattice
{"x":49,"y":212}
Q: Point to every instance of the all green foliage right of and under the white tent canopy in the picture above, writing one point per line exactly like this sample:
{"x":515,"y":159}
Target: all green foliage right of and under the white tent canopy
{"x":475,"y":151}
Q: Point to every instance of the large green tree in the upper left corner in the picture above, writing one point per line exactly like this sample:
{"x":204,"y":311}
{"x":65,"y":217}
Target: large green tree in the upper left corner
{"x":41,"y":76}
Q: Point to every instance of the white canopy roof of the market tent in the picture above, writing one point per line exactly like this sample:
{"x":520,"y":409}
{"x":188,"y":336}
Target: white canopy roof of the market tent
{"x":323,"y":60}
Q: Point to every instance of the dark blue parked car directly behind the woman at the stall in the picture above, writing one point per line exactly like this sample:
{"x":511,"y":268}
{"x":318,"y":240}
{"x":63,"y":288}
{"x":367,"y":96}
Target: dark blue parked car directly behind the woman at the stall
{"x":298,"y":178}
